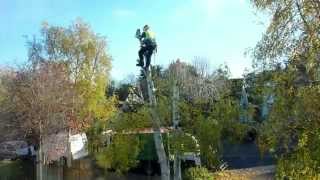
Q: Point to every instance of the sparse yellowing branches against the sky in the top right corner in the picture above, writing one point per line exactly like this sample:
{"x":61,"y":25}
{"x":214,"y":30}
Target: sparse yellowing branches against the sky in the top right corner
{"x":282,"y":40}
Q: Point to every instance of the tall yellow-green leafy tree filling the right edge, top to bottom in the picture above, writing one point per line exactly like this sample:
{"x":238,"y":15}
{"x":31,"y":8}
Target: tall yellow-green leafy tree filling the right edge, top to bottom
{"x":292,"y":41}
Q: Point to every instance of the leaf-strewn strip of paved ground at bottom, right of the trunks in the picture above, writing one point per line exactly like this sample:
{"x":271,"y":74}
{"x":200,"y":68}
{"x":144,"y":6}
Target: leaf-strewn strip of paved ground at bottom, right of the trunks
{"x":256,"y":173}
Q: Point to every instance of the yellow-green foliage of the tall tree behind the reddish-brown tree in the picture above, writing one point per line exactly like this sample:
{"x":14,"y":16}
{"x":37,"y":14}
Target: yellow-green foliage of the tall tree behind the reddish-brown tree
{"x":88,"y":65}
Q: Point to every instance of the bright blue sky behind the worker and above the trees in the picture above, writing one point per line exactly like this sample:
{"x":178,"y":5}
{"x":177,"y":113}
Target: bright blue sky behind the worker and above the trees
{"x":219,"y":30}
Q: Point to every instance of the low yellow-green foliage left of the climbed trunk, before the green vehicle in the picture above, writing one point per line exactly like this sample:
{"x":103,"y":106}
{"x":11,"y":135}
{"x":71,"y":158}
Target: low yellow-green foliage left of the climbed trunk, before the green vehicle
{"x":122,"y":153}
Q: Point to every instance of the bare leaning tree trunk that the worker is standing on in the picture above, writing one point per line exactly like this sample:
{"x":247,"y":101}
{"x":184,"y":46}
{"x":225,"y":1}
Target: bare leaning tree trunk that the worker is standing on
{"x":163,"y":160}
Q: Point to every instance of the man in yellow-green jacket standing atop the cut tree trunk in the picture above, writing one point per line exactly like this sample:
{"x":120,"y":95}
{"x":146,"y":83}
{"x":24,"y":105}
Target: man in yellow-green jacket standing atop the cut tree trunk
{"x":148,"y":45}
